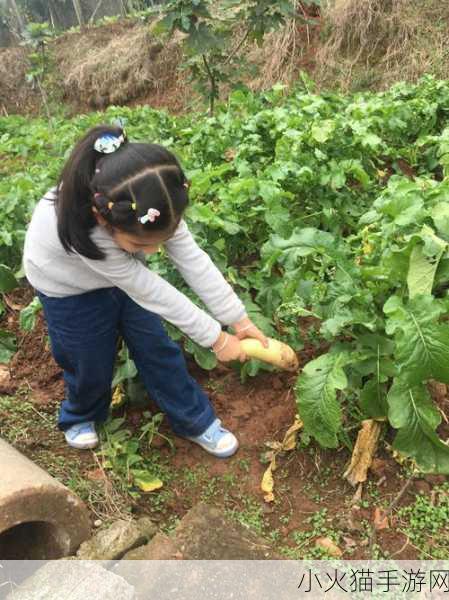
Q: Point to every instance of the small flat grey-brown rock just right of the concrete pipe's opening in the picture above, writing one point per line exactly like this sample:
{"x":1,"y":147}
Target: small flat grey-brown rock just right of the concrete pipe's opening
{"x":121,"y":537}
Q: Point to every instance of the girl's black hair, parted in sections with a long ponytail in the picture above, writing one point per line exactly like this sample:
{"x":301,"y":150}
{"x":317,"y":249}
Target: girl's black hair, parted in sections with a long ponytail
{"x":121,"y":187}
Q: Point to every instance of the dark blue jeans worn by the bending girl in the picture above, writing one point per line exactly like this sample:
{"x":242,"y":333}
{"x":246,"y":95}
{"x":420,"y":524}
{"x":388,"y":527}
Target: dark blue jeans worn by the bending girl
{"x":83,"y":331}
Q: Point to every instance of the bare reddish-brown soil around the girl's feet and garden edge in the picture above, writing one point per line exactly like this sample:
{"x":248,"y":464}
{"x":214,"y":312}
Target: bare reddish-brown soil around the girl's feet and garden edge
{"x":260,"y":410}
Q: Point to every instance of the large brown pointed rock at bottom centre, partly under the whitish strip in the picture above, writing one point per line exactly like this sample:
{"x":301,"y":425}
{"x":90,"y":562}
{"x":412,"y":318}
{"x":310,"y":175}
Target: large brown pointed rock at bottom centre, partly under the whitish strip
{"x":177,"y":566}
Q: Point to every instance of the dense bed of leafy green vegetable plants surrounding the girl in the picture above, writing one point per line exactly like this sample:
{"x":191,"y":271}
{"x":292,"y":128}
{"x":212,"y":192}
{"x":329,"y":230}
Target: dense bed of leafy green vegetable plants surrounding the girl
{"x":329,"y":215}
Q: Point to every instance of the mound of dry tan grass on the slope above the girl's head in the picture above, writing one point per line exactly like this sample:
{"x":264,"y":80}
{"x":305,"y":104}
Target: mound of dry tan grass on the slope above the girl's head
{"x":116,"y":64}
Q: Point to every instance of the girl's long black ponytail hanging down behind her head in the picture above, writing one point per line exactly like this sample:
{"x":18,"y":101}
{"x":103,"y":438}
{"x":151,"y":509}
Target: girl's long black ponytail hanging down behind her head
{"x":74,"y":202}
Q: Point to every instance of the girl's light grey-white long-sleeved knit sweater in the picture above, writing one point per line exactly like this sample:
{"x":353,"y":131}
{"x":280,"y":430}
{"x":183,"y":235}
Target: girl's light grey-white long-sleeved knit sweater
{"x":54,"y":272}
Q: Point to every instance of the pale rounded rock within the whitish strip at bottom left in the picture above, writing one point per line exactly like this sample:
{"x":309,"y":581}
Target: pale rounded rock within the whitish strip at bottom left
{"x":75,"y":580}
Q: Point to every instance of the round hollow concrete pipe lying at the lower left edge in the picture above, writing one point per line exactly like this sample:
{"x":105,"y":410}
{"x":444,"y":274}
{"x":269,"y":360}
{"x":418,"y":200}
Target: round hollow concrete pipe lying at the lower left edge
{"x":40,"y":519}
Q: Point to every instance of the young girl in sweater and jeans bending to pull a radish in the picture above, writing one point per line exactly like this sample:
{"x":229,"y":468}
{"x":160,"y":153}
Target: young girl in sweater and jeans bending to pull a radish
{"x":84,"y":254}
